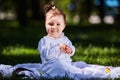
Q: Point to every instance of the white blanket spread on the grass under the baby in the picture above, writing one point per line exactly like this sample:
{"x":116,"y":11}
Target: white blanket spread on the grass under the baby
{"x":37,"y":70}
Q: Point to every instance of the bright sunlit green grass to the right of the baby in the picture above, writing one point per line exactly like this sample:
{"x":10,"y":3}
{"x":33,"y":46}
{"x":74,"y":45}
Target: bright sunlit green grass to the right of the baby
{"x":98,"y":55}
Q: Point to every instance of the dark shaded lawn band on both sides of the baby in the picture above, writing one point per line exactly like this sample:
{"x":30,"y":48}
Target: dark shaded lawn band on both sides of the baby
{"x":99,"y":35}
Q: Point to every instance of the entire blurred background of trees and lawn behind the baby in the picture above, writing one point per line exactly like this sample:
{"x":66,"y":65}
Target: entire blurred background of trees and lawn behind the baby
{"x":92,"y":25}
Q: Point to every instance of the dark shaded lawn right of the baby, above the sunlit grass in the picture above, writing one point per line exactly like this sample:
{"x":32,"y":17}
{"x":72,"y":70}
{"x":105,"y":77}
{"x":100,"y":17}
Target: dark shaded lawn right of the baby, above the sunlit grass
{"x":98,"y":35}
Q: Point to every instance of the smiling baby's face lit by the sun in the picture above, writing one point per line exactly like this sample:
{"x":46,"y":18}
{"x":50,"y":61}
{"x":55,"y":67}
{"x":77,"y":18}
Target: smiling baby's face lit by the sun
{"x":54,"y":25}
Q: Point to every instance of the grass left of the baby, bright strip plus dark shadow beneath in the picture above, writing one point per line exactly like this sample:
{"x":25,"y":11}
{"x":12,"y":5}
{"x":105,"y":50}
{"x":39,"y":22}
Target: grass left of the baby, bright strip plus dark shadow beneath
{"x":19,"y":54}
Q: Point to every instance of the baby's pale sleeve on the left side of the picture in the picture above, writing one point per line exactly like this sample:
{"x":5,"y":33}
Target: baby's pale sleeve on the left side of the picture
{"x":48,"y":52}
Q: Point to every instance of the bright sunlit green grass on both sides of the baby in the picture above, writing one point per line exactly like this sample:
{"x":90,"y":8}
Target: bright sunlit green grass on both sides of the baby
{"x":90,"y":54}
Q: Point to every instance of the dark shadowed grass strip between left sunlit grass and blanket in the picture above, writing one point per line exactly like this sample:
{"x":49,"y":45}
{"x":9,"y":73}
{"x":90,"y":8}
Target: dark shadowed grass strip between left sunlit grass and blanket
{"x":13,"y":60}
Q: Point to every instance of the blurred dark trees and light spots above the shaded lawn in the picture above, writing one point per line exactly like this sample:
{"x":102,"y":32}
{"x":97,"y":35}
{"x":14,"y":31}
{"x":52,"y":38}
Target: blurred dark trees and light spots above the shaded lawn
{"x":77,"y":11}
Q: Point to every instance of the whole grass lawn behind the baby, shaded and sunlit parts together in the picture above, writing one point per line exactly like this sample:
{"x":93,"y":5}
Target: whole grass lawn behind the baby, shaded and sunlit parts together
{"x":95,"y":44}
